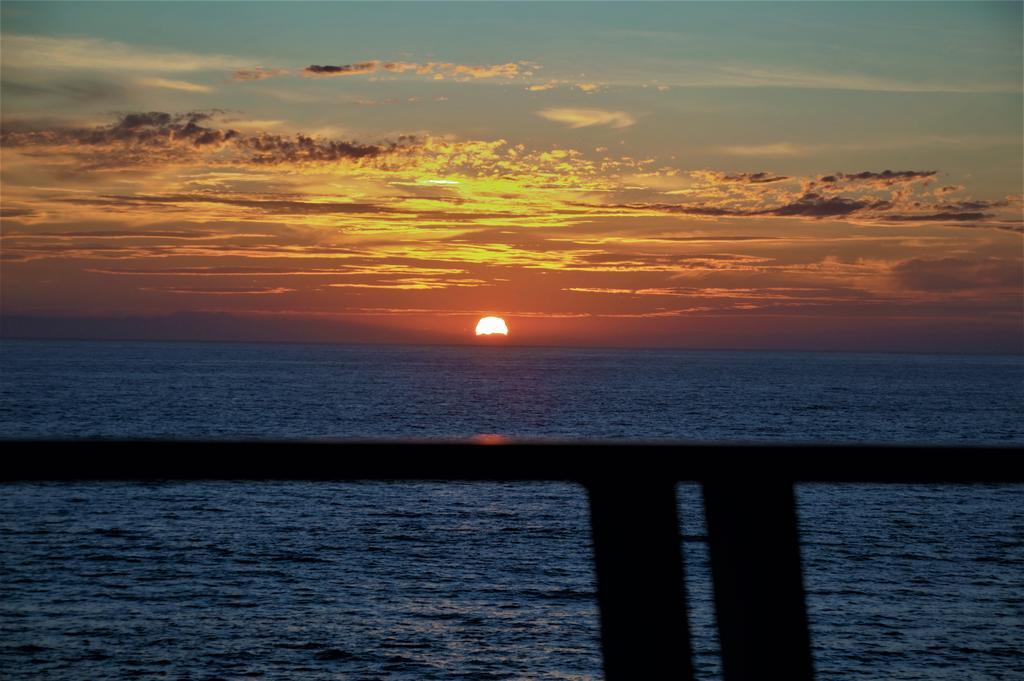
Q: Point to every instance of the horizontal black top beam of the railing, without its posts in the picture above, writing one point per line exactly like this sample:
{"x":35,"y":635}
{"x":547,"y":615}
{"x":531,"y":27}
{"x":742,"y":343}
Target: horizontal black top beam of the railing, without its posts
{"x":150,"y":460}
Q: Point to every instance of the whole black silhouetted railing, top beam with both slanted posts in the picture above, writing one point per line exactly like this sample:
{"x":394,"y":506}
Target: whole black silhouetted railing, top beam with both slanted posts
{"x":749,"y":502}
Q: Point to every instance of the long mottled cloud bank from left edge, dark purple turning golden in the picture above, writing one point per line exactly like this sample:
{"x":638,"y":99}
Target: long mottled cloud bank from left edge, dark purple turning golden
{"x":208,"y":140}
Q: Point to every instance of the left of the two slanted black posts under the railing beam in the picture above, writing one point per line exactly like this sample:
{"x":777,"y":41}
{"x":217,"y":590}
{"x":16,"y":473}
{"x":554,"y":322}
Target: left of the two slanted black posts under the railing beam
{"x":639,"y":564}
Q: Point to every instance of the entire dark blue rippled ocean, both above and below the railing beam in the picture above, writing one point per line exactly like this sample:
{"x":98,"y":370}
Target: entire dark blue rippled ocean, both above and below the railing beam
{"x":481,"y":581}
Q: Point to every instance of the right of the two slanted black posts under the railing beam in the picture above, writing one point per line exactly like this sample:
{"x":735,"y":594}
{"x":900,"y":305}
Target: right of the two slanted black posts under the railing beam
{"x":759,"y":592}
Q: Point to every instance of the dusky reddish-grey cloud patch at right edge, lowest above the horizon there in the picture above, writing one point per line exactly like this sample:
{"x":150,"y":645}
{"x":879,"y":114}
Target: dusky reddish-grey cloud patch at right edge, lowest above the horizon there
{"x":960,"y":274}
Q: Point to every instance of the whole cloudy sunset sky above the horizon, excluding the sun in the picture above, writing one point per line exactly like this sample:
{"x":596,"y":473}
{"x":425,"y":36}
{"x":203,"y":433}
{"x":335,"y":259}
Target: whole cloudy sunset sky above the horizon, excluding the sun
{"x":815,"y":176}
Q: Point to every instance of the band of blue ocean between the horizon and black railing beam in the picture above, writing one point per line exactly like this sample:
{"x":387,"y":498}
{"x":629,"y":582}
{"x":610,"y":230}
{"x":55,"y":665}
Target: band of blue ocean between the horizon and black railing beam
{"x":236,"y":391}
